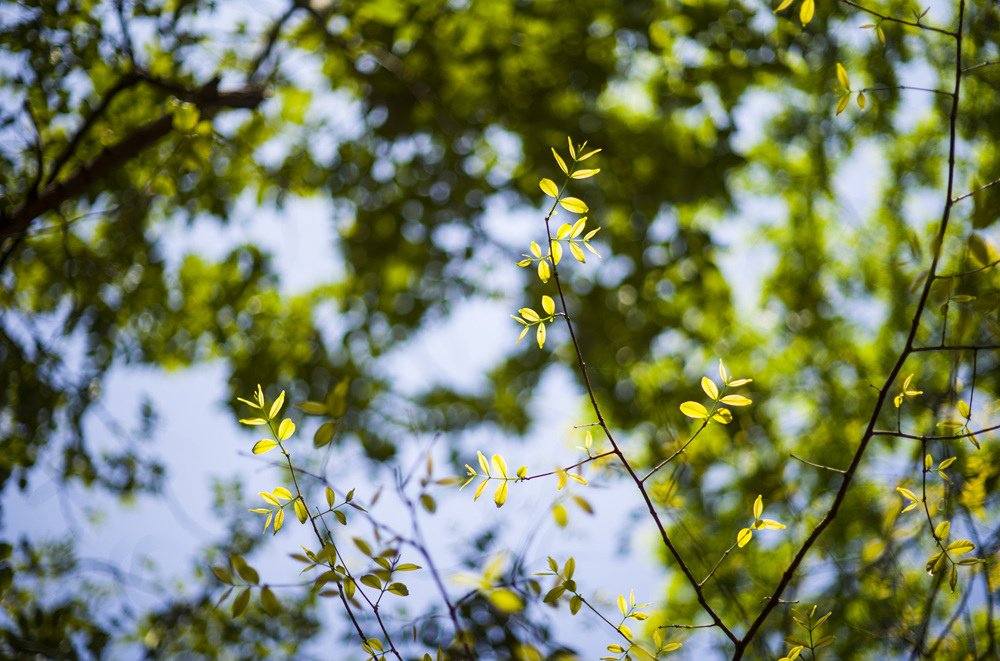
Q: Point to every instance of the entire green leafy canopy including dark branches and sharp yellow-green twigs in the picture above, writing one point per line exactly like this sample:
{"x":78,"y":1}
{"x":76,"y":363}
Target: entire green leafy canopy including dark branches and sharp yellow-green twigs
{"x":804,"y":192}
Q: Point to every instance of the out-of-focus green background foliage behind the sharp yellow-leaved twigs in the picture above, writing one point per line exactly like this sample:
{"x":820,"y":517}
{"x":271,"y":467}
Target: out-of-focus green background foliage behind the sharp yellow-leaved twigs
{"x":741,"y":218}
